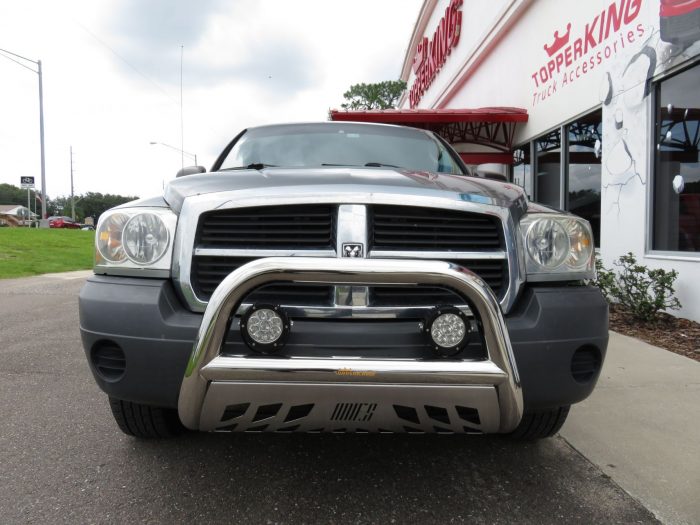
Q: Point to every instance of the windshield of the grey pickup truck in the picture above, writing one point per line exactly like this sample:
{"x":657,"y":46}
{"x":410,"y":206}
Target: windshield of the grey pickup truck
{"x":340,"y":144}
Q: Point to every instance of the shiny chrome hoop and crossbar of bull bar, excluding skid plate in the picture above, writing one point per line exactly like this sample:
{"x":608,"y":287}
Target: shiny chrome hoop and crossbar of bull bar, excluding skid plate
{"x":231,"y":292}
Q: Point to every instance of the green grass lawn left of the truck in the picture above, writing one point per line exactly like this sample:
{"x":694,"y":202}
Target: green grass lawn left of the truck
{"x":31,"y":251}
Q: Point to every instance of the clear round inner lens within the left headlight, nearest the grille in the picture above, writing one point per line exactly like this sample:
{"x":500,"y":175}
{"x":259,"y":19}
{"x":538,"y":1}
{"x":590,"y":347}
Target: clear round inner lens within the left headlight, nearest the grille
{"x":145,"y":238}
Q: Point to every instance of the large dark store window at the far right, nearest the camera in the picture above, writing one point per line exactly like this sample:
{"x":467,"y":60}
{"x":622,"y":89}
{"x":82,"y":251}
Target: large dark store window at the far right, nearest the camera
{"x":676,"y":212}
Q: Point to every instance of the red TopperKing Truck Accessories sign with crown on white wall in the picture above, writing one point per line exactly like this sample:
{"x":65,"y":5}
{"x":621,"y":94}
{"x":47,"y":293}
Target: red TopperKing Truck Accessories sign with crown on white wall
{"x":579,"y":49}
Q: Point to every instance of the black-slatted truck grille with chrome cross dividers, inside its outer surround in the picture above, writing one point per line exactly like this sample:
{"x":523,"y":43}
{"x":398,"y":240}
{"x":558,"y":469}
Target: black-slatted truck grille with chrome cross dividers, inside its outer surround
{"x":225,"y":239}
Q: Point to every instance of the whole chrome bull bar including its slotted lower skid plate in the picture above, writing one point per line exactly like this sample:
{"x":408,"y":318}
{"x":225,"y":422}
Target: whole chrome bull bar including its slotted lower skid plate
{"x":436,"y":394}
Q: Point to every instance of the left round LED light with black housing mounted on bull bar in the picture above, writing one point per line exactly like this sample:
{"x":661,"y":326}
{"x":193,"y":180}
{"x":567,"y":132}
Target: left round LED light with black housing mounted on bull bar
{"x":265,"y":328}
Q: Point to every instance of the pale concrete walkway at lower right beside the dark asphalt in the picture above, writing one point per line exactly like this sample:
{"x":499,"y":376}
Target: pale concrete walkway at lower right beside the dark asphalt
{"x":641,"y":427}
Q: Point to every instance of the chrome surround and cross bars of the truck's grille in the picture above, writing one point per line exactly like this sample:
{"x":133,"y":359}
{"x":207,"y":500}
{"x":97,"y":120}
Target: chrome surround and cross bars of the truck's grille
{"x":187,"y":248}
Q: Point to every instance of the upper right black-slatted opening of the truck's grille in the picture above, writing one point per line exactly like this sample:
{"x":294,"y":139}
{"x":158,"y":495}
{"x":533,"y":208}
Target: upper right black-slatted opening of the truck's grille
{"x":414,"y":228}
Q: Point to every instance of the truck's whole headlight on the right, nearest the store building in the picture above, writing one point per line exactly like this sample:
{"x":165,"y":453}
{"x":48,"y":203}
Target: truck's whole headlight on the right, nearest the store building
{"x":557,"y":247}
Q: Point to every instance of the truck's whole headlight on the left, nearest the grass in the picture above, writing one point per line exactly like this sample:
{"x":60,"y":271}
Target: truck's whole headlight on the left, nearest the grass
{"x":131,"y":241}
